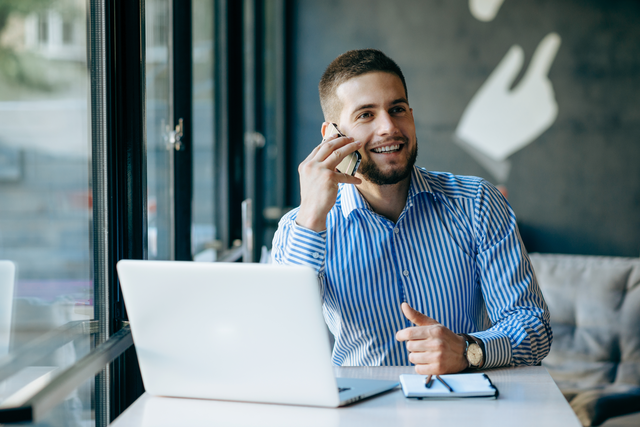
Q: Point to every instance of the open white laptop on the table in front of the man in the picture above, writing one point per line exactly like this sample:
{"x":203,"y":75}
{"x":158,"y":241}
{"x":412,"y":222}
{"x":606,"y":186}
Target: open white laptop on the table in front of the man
{"x":234,"y":331}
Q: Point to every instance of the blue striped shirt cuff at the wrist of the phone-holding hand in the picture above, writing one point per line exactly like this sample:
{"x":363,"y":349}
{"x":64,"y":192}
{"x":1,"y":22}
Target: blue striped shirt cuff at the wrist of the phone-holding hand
{"x":307,"y":247}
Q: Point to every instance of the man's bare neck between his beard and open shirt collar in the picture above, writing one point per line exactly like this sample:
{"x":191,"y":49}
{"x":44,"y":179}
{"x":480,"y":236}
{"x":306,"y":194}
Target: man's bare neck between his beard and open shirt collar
{"x":386,"y":200}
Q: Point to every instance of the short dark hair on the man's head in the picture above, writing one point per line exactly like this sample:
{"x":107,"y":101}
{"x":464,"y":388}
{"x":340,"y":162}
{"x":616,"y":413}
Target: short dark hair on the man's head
{"x":348,"y":65}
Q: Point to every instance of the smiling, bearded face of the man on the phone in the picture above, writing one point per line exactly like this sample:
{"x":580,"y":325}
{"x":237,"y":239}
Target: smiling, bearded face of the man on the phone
{"x":375,"y":111}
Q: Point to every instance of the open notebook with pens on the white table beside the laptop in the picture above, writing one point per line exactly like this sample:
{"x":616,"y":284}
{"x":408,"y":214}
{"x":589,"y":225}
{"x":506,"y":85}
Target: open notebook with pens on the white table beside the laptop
{"x":460,"y":386}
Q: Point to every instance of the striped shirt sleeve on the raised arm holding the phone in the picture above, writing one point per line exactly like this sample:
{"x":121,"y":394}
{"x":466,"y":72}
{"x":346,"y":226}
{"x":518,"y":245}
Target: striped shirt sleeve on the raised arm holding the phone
{"x":294,"y":244}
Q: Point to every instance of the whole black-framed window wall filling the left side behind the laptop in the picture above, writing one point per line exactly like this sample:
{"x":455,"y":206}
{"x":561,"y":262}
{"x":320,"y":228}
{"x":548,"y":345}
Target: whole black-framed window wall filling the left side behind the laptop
{"x":144,"y":188}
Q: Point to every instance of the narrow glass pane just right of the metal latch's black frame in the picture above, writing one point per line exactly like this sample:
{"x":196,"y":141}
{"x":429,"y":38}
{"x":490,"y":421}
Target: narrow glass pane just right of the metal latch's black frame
{"x":203,"y":232}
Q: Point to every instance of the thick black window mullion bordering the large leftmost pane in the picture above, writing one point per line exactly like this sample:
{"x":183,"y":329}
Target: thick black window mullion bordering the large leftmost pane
{"x":126,"y":134}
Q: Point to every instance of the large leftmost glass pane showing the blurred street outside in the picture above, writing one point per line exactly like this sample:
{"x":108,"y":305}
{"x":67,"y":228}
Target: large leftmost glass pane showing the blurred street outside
{"x":45,"y":192}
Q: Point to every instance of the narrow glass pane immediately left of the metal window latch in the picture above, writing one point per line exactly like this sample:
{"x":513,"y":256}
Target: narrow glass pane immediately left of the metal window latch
{"x":158,"y":121}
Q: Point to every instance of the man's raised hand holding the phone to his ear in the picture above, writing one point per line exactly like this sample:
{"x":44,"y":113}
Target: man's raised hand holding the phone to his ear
{"x":319,"y":180}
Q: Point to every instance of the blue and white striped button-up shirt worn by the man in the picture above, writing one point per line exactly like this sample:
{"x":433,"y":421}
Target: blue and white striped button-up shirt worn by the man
{"x":455,"y":254}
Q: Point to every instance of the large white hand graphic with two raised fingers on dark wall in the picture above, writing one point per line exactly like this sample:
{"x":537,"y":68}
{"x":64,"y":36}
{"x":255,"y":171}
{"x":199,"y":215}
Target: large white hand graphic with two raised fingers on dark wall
{"x":500,"y":121}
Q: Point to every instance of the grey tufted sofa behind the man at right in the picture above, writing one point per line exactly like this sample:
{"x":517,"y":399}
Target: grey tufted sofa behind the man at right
{"x":595,"y":316}
